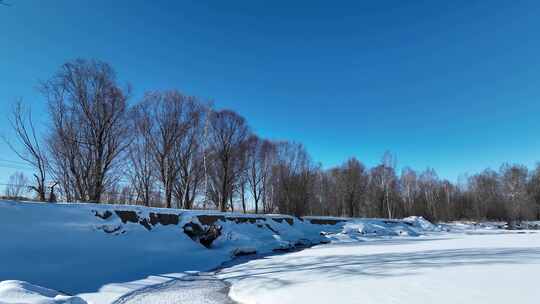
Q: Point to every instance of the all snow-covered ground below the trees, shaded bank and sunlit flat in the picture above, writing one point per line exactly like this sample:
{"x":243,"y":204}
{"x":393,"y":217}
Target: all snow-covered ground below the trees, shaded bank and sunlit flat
{"x":86,"y":255}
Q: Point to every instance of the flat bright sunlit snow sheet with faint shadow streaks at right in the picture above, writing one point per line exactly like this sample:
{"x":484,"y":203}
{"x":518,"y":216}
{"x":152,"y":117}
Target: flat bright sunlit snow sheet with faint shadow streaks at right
{"x":445,"y":268}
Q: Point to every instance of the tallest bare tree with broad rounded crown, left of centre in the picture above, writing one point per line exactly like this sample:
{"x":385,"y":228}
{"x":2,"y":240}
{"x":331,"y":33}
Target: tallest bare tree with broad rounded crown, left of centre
{"x":89,"y":129}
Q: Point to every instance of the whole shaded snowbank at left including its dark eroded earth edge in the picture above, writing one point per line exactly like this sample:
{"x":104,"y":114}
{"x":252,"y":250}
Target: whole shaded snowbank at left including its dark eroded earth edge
{"x":114,"y":249}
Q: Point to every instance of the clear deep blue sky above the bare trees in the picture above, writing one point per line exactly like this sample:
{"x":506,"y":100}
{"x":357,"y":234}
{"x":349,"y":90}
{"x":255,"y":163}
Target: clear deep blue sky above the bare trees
{"x":454,"y":85}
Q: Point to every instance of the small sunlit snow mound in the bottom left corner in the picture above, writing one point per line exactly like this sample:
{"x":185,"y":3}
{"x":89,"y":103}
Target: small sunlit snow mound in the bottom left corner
{"x":23,"y":292}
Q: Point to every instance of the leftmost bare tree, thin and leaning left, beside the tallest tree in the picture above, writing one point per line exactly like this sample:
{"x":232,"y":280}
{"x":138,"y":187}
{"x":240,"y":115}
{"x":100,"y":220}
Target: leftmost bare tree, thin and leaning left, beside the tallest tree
{"x":31,"y":151}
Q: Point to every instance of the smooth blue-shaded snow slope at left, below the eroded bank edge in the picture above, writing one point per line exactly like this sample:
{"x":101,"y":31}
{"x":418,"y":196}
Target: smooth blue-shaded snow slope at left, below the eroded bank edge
{"x":44,"y":244}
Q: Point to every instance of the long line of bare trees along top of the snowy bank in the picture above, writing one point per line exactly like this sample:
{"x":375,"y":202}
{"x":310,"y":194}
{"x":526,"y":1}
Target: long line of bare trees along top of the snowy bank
{"x":173,"y":150}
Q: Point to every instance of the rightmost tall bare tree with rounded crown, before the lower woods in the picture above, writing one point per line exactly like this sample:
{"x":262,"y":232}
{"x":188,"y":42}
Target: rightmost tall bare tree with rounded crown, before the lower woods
{"x":227,"y":142}
